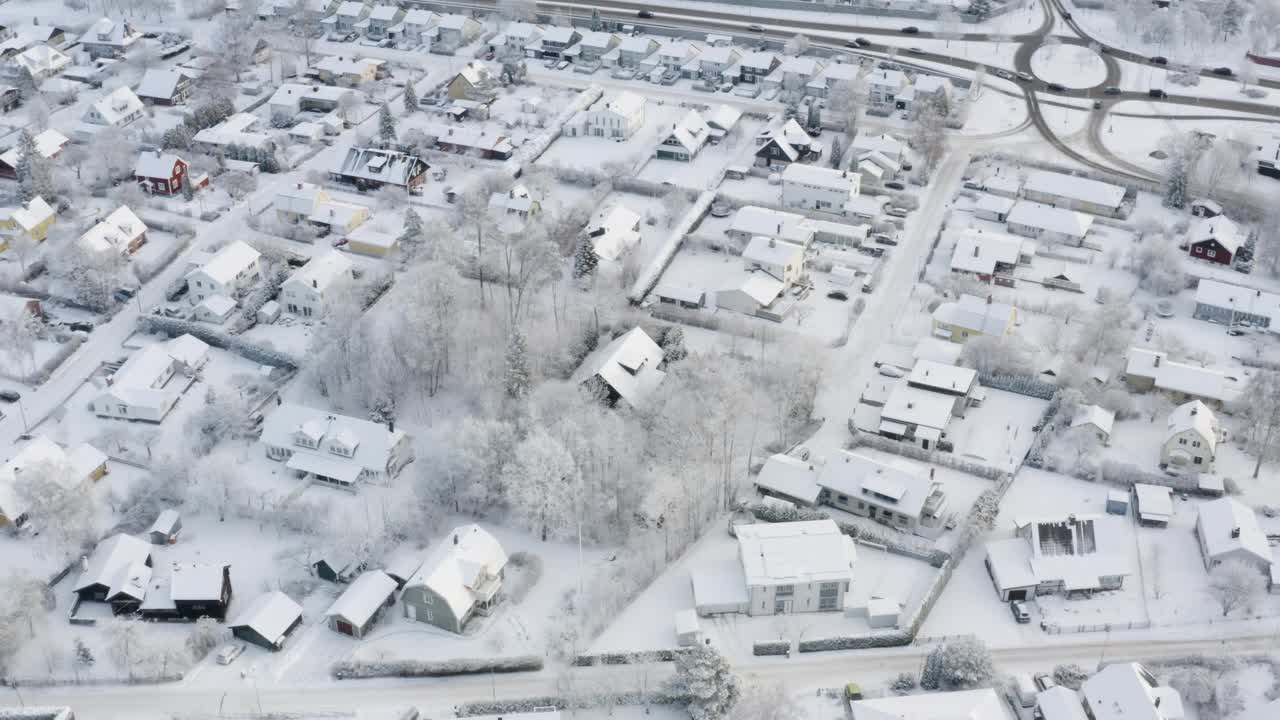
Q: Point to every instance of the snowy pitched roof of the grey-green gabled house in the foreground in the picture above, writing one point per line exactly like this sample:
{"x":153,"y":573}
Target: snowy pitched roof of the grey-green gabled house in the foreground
{"x":459,"y":566}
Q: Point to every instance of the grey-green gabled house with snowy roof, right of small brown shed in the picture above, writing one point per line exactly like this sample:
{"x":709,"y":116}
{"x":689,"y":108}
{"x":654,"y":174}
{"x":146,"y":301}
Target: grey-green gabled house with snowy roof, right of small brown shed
{"x":460,"y":578}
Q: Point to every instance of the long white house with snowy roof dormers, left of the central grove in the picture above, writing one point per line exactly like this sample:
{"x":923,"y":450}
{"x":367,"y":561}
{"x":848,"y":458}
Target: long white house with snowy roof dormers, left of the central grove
{"x":335,"y":449}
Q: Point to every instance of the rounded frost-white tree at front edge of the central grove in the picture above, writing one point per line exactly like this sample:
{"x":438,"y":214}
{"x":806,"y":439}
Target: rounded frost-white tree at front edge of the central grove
{"x":542,"y":485}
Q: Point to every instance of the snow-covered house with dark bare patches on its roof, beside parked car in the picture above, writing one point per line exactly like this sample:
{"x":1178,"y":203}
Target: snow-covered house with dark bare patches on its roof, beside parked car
{"x":1073,"y":555}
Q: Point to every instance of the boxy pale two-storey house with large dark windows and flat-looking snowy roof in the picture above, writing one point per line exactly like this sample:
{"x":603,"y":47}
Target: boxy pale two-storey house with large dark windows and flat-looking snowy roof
{"x":796,"y":567}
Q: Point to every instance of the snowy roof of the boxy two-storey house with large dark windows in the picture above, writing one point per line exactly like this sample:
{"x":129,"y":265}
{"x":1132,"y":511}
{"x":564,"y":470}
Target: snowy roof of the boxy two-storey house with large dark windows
{"x":813,"y":552}
